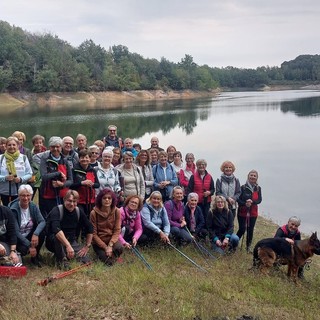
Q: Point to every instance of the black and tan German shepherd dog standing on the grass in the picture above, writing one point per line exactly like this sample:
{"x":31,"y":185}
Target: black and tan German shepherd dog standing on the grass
{"x":269,"y":251}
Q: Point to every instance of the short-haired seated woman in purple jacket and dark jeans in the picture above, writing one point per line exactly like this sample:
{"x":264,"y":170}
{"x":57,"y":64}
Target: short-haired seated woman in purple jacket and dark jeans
{"x":175,"y":211}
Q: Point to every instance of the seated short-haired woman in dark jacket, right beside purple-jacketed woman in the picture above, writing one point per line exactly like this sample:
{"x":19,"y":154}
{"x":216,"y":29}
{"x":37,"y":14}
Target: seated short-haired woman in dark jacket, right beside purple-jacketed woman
{"x":194,"y":217}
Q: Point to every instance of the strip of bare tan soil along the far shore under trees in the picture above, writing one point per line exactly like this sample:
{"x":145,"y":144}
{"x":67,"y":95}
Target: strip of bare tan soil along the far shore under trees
{"x":17,"y":99}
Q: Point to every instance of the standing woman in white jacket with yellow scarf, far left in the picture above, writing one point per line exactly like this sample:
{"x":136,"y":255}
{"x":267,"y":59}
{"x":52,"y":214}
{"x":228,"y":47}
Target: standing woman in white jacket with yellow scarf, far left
{"x":15,"y":169}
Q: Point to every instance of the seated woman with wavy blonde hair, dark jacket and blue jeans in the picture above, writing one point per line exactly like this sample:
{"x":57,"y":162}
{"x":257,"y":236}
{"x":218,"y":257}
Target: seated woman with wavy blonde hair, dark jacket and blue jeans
{"x":220,"y":226}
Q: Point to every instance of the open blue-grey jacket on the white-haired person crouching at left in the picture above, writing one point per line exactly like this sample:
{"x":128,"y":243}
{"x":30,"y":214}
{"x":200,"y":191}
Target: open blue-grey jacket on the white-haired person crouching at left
{"x":36,"y":218}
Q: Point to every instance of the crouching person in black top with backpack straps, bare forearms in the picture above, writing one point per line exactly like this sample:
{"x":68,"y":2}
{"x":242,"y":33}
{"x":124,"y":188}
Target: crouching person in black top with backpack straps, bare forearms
{"x":62,"y":225}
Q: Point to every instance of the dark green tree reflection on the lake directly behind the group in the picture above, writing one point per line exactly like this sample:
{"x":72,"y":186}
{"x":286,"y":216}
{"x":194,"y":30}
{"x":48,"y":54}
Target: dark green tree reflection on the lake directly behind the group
{"x":133,"y":121}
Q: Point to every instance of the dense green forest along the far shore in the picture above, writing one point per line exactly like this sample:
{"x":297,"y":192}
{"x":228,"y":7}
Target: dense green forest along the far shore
{"x":44,"y":63}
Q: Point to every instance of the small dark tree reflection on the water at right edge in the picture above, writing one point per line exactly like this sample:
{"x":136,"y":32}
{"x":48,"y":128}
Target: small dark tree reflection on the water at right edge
{"x":307,"y":107}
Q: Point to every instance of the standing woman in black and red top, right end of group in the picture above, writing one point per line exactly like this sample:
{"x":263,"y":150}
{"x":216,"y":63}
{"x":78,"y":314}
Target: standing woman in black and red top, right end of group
{"x":248,"y":202}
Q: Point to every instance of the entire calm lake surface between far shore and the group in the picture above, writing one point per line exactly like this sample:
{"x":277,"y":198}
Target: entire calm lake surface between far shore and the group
{"x":276,"y":133}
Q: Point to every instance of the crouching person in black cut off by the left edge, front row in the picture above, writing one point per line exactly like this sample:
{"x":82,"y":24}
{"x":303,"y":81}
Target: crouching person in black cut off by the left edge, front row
{"x":8,"y":237}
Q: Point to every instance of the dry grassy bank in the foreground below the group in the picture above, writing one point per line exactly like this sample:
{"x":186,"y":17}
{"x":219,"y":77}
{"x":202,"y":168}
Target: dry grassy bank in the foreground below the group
{"x":175,"y":289}
